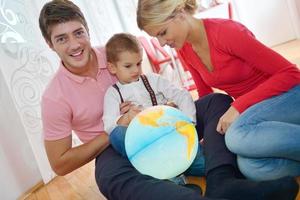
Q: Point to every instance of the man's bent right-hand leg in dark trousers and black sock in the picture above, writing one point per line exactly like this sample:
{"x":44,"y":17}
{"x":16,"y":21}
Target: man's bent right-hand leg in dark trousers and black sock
{"x":223,"y":176}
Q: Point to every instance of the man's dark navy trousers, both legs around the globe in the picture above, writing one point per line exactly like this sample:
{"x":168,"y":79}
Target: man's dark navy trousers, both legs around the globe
{"x":118,"y":180}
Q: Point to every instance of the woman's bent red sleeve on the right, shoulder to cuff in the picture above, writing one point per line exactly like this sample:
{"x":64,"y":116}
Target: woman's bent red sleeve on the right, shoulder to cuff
{"x":240,"y":42}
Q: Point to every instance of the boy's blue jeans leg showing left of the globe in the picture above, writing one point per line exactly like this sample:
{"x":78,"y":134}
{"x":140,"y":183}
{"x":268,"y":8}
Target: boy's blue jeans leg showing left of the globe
{"x":117,"y":139}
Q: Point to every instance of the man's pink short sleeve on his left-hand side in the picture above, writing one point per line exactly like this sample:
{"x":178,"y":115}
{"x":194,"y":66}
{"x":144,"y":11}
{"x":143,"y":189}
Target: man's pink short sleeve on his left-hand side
{"x":56,"y":119}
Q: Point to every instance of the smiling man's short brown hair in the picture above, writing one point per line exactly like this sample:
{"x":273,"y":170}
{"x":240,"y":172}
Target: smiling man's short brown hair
{"x":56,"y":12}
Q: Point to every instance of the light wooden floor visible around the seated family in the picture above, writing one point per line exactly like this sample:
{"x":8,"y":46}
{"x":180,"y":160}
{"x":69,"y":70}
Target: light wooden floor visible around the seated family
{"x":81,"y":185}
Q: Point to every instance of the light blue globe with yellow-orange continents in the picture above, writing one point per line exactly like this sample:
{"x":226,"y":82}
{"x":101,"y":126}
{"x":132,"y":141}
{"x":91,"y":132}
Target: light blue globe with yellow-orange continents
{"x":161,"y":142}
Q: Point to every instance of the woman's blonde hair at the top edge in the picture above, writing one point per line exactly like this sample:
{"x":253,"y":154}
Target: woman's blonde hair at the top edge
{"x":156,"y":12}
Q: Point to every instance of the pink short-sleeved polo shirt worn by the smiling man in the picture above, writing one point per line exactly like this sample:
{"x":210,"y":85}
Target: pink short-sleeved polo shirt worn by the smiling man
{"x":73,"y":102}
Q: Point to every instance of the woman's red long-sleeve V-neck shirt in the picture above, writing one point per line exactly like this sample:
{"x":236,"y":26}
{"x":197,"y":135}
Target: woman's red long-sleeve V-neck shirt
{"x":242,"y":66}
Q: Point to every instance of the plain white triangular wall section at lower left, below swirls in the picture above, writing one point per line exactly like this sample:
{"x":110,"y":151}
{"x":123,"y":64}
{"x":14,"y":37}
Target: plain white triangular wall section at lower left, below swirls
{"x":19,"y":170}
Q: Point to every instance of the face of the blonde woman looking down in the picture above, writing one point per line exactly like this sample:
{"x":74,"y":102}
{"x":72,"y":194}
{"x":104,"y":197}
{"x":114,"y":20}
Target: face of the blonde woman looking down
{"x":173,"y":32}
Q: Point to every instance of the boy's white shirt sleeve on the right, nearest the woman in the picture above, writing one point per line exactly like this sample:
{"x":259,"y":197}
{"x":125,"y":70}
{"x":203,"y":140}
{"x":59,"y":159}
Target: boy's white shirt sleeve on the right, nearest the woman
{"x":179,"y":96}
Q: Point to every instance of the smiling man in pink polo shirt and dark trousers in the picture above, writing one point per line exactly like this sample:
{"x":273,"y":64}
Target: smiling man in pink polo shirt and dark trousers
{"x":74,"y":101}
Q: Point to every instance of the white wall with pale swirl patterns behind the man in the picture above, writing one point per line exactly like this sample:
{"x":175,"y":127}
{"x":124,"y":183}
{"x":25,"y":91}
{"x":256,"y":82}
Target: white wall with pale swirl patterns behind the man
{"x":27,"y":65}
